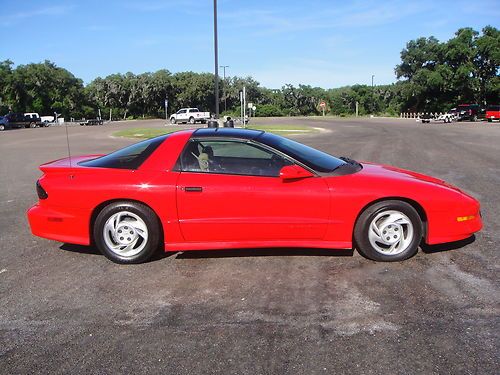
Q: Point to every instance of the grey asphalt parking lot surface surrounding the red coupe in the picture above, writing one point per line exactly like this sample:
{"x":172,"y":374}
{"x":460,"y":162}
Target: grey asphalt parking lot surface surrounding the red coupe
{"x":67,"y":309}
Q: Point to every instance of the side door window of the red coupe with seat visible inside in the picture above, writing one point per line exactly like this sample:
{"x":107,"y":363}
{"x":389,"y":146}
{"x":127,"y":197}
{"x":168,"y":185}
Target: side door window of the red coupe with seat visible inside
{"x":231,"y":157}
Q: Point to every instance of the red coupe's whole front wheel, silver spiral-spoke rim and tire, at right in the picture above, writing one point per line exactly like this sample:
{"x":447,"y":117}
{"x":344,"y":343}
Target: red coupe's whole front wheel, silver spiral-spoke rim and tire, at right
{"x":388,"y":231}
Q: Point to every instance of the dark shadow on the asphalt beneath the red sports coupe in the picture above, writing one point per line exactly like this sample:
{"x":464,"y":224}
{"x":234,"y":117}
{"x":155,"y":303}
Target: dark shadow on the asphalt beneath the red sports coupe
{"x":266,"y":252}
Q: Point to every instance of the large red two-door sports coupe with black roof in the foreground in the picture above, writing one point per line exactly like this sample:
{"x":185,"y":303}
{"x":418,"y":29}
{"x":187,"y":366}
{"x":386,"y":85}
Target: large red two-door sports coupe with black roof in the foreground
{"x":233,"y":188}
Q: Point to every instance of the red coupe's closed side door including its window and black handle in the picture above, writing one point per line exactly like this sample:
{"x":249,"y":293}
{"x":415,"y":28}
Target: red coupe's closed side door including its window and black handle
{"x":230,"y":190}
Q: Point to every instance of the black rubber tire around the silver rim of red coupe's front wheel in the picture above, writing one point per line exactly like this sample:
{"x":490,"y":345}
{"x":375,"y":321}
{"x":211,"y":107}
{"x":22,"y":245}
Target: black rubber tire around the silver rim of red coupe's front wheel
{"x":362,"y":228}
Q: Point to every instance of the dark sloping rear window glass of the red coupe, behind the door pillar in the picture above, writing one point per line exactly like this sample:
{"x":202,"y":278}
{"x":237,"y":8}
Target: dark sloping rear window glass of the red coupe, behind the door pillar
{"x":130,"y":157}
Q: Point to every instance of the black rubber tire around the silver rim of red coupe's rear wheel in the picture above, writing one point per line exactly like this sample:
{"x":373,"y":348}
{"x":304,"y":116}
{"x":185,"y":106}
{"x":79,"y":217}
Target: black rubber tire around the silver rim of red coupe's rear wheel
{"x":140,"y":210}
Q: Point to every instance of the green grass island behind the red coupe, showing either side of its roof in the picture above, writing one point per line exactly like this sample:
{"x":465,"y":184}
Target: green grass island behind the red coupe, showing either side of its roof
{"x":282,"y":129}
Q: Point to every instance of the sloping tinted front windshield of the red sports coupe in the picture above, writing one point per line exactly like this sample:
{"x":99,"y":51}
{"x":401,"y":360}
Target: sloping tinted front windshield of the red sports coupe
{"x":314,"y":159}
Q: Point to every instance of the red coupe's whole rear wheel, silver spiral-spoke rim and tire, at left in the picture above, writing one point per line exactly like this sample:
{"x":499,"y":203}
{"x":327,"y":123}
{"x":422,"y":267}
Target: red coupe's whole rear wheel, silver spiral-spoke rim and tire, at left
{"x":127,"y":232}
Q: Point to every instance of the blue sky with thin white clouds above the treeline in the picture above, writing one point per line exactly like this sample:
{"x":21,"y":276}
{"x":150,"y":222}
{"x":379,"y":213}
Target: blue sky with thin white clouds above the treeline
{"x":325,"y":43}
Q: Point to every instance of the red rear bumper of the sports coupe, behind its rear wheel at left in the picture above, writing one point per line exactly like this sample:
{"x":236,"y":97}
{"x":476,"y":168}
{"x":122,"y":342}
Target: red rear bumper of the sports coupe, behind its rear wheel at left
{"x":60,"y":224}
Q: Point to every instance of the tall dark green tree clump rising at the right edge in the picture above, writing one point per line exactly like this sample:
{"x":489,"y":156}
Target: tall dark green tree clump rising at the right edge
{"x":440,"y":75}
